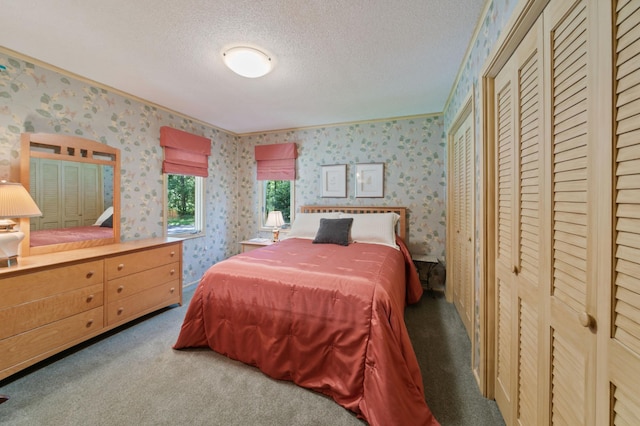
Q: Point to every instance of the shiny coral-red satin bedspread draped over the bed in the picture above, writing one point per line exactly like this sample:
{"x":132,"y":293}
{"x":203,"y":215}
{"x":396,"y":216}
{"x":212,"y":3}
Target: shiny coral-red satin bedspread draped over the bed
{"x":327,"y":317}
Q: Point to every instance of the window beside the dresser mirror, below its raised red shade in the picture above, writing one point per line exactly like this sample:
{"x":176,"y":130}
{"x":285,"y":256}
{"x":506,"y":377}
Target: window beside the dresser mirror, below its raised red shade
{"x":184,"y":204}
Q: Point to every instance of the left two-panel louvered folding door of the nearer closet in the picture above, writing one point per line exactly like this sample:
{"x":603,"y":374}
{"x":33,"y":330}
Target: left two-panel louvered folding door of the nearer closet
{"x":519,"y":238}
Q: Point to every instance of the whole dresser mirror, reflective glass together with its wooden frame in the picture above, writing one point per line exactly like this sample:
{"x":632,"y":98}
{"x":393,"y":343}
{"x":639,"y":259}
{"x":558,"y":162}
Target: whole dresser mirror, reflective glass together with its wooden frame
{"x":76,"y":184}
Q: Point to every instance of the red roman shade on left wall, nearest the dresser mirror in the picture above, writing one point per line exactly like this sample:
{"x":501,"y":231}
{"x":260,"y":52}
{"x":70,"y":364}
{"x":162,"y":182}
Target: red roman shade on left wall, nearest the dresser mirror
{"x":184,"y":153}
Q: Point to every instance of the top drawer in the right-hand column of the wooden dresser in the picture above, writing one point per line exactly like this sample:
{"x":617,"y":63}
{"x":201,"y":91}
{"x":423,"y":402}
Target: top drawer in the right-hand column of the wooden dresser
{"x":131,"y":263}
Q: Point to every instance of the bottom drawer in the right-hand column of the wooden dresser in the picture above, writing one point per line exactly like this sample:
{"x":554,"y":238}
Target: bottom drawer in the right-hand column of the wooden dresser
{"x":143,"y":302}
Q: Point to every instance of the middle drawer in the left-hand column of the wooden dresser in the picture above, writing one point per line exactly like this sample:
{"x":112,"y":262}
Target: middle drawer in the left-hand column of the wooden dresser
{"x":36,"y":313}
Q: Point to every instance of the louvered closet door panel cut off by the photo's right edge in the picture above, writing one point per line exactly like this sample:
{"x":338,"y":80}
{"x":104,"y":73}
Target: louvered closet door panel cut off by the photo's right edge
{"x":623,"y":337}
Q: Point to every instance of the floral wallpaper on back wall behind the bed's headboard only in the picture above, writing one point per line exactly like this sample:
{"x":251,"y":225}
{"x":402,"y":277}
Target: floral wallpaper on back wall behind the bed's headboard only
{"x":412,"y":150}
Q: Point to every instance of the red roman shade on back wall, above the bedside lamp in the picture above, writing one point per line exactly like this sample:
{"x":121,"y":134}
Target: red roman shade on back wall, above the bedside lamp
{"x":276,"y":161}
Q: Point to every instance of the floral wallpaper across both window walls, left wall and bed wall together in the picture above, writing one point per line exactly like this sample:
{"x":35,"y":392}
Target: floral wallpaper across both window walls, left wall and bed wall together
{"x":34,"y":98}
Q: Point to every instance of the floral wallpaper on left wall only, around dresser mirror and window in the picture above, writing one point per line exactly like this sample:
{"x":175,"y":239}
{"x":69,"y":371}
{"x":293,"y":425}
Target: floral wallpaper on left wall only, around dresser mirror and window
{"x":36,"y":99}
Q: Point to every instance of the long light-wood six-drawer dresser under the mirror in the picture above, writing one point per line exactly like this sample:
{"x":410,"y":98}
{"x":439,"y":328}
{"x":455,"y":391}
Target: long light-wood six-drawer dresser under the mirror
{"x":51,"y":302}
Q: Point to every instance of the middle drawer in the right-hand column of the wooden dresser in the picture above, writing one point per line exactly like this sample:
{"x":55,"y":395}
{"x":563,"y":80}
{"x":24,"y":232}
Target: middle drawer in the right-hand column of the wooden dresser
{"x":131,"y":284}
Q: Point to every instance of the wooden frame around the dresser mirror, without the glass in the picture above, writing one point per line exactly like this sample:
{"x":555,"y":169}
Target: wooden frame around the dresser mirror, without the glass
{"x":68,"y":148}
